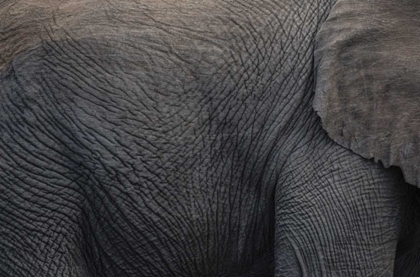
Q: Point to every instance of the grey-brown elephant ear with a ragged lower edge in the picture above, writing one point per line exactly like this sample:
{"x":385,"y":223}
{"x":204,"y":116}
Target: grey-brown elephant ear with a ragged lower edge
{"x":367,"y":63}
